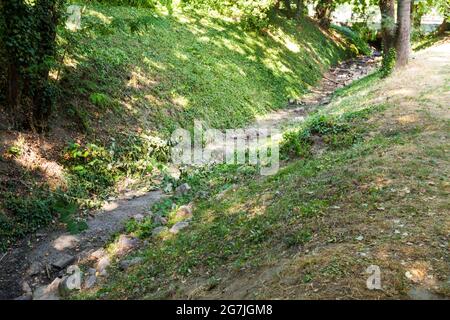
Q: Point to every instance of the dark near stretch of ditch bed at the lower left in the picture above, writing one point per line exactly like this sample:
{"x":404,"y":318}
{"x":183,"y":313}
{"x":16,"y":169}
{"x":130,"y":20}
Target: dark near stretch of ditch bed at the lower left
{"x":34,"y":259}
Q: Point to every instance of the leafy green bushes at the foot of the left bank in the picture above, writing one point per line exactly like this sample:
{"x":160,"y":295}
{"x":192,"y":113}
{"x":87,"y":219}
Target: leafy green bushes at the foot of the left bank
{"x":95,"y":170}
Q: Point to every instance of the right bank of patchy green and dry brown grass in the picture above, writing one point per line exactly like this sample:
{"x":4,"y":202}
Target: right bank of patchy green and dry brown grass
{"x":297,"y":234}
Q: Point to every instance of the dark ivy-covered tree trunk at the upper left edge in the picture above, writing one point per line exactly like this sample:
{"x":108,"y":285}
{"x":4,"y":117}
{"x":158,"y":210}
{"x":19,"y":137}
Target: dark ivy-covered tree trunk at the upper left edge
{"x":27,"y":38}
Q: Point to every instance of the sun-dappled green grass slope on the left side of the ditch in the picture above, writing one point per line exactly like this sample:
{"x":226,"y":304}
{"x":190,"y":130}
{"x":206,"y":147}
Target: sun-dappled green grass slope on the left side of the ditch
{"x":189,"y":66}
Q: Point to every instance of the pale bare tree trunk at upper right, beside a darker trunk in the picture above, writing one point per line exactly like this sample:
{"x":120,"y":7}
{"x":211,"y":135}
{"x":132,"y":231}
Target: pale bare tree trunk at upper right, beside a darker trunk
{"x":402,"y":45}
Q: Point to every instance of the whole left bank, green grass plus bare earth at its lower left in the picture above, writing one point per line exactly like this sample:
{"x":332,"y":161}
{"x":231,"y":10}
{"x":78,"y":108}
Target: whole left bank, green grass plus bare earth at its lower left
{"x":134,"y":70}
